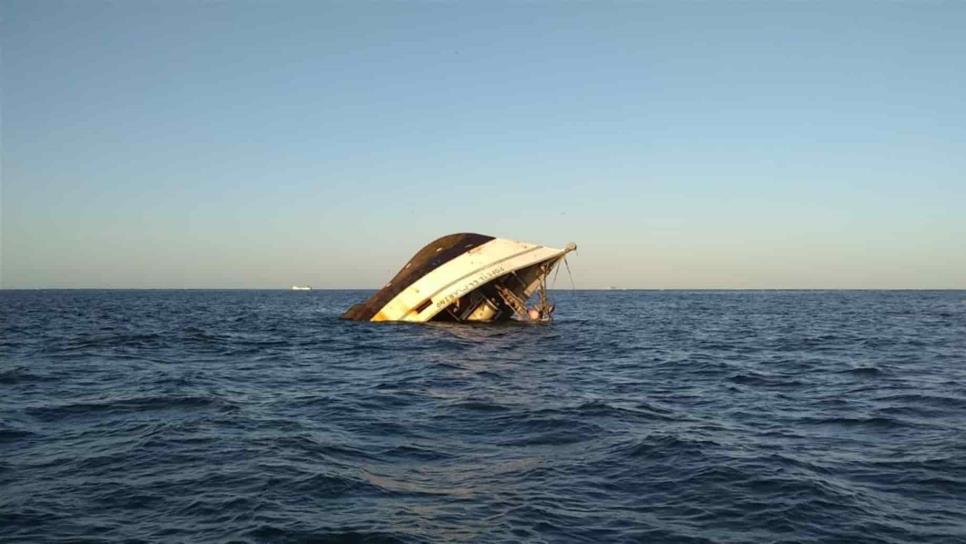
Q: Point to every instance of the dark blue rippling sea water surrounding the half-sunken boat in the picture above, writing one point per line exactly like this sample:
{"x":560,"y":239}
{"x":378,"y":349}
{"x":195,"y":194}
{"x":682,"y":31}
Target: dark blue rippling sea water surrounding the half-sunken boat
{"x":635,"y":417}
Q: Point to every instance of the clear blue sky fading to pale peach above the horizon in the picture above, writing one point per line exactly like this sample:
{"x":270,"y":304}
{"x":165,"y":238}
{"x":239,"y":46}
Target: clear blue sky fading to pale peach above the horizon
{"x":680,"y":144}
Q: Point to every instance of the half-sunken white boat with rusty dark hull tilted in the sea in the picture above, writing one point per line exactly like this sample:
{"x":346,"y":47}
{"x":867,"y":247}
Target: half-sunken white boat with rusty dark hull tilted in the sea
{"x":466,"y":277}
